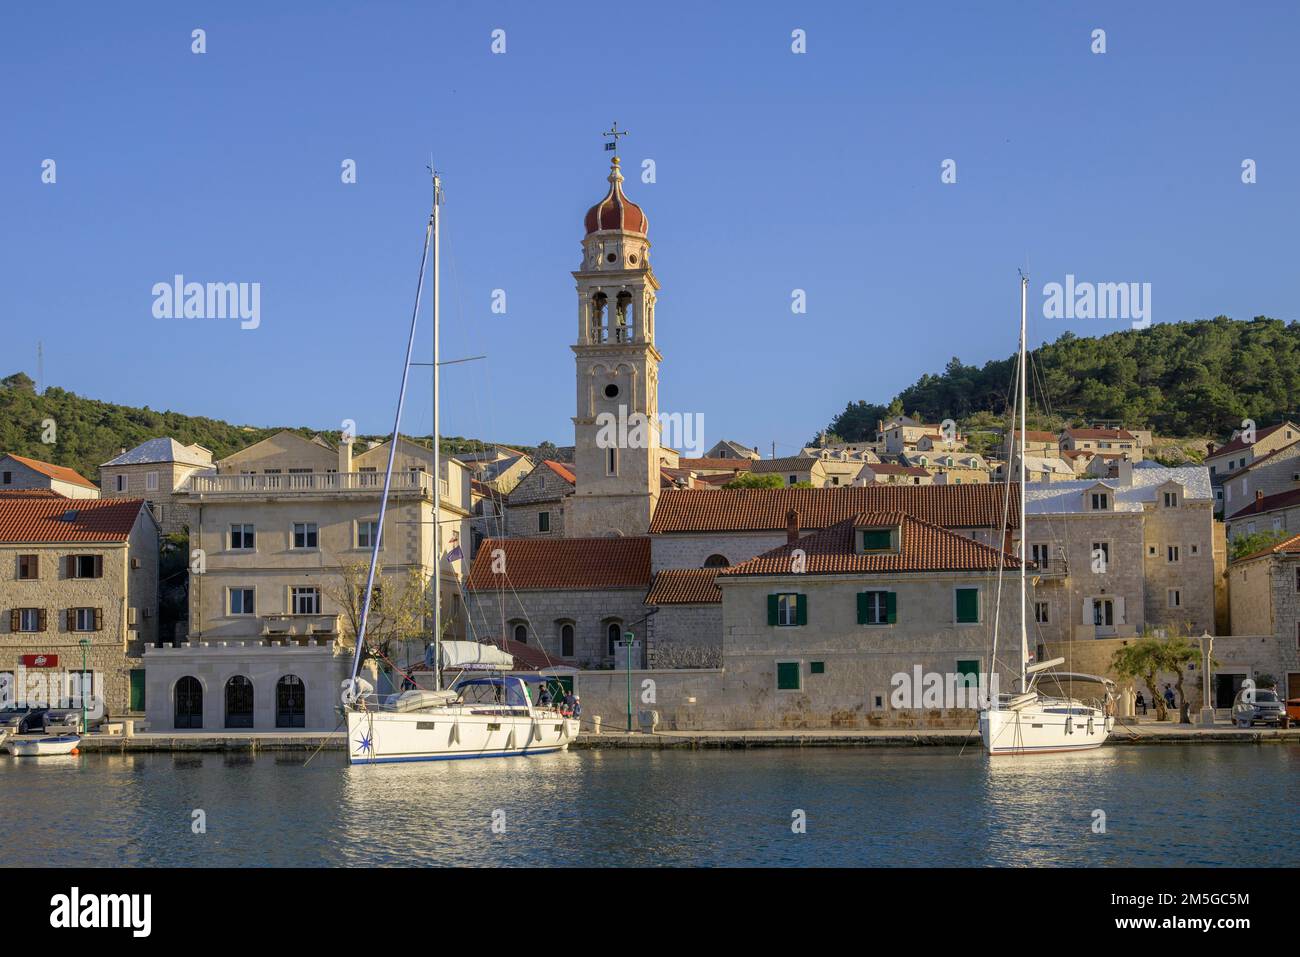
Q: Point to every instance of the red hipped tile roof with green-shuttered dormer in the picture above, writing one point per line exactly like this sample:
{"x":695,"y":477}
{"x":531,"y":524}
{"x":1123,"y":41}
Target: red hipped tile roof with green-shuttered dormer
{"x":925,"y":548}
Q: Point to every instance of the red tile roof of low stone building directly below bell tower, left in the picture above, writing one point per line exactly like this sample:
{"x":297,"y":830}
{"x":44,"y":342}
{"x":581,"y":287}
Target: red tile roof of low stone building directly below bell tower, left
{"x":562,"y":565}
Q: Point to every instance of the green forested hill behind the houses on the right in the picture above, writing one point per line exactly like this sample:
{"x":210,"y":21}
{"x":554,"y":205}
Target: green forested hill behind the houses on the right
{"x":1180,"y":379}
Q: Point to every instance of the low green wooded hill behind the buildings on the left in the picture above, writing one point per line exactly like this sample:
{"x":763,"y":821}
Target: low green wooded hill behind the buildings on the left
{"x":90,"y":432}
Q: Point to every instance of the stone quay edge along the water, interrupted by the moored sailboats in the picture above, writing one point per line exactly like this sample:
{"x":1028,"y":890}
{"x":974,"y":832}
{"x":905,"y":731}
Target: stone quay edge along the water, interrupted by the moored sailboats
{"x":1128,"y":733}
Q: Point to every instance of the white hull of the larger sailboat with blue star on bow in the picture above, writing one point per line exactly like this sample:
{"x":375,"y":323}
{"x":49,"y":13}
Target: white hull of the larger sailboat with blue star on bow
{"x":378,"y":738}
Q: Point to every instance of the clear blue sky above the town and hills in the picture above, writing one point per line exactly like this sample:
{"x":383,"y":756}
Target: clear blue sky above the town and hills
{"x":775,"y":172}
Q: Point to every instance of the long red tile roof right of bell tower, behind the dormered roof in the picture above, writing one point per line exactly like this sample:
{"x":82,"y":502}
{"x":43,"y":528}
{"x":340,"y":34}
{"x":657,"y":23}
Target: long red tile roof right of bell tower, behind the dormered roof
{"x":764,"y":510}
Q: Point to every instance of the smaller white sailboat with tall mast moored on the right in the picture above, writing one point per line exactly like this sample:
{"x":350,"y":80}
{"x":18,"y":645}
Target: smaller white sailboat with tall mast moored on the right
{"x":1034,"y":721}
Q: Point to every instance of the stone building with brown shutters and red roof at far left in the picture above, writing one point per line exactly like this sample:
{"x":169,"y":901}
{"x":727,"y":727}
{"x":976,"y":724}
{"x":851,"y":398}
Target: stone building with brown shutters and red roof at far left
{"x":75,"y":571}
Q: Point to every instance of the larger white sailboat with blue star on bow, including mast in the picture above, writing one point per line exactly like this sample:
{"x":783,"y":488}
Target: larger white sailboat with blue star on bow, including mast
{"x":486,"y":713}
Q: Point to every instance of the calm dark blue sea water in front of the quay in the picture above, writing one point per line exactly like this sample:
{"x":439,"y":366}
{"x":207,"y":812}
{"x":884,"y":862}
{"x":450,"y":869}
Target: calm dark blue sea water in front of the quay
{"x":1164,"y":806}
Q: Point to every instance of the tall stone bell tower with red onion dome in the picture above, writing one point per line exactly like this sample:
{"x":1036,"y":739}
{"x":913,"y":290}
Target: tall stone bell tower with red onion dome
{"x":617,"y":422}
